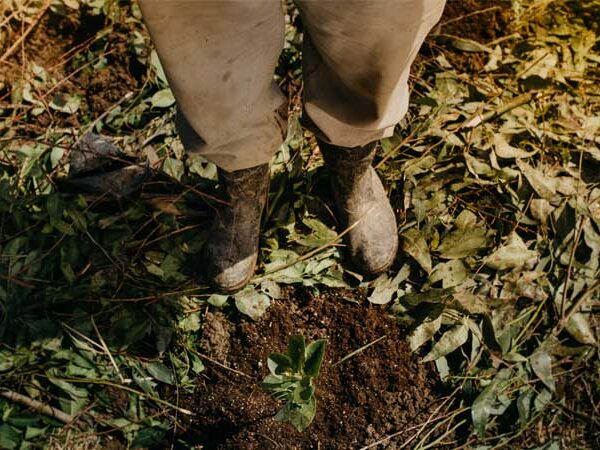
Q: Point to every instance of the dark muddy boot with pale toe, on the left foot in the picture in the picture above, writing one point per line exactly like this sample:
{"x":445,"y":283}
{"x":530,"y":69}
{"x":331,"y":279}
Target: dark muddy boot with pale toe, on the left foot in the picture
{"x":231,"y":252}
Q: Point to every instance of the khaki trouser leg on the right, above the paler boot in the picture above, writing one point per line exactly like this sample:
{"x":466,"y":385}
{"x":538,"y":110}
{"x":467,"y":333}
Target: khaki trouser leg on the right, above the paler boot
{"x":357,"y":59}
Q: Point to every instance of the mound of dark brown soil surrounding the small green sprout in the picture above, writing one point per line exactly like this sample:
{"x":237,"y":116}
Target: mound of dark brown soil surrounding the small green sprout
{"x":382,"y":390}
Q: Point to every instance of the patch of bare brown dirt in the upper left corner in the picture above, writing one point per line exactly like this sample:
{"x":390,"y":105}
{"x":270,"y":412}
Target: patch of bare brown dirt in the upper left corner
{"x":60,"y":44}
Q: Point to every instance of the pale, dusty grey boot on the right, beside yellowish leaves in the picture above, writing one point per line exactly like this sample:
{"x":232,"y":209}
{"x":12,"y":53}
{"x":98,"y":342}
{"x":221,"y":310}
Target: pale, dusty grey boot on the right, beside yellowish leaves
{"x":362,"y":204}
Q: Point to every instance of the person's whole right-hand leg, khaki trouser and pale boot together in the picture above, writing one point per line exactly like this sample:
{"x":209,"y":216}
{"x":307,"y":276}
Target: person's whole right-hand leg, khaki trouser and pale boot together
{"x":357,"y":58}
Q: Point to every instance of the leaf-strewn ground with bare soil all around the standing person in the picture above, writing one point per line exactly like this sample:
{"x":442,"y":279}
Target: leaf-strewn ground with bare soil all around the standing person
{"x":109,"y":333}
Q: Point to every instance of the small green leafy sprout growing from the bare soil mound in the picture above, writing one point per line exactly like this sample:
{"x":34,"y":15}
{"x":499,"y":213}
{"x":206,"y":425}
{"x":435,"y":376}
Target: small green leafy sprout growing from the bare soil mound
{"x":291,"y":380}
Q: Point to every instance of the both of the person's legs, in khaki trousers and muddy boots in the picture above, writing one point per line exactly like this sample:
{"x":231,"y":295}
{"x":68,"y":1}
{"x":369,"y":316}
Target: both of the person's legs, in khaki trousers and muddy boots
{"x":220,"y":55}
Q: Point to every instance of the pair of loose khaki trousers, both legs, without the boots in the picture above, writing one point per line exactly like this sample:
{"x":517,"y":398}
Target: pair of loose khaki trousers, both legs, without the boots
{"x":220,"y":55}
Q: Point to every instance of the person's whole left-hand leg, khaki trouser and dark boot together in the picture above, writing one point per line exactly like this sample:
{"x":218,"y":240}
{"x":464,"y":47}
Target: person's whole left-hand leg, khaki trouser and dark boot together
{"x":219,"y":57}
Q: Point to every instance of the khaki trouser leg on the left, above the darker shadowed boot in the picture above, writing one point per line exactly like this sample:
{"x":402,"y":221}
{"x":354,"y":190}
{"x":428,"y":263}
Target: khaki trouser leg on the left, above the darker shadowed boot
{"x":219,"y":57}
